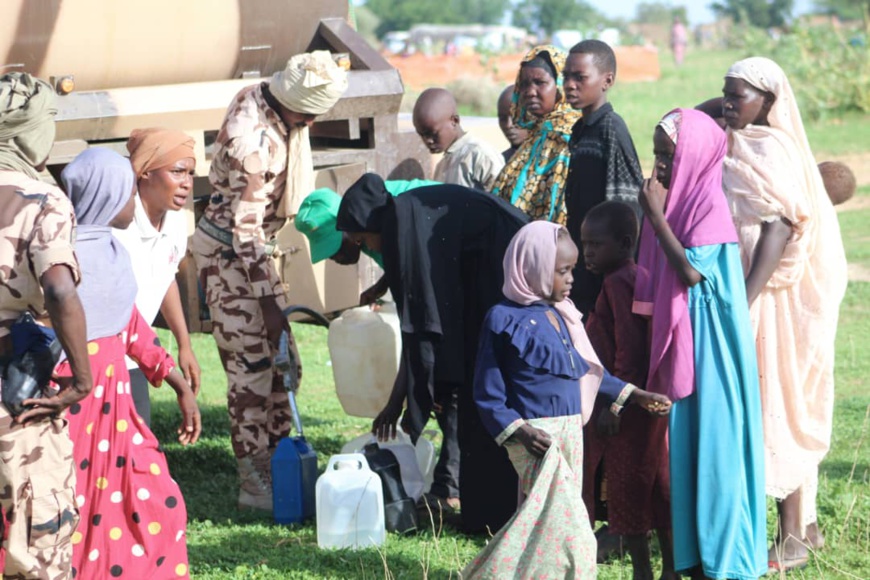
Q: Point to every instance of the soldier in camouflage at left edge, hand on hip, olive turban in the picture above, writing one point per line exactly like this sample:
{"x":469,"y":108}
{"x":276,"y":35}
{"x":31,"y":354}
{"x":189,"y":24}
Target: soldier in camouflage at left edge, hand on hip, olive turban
{"x":38,"y":274}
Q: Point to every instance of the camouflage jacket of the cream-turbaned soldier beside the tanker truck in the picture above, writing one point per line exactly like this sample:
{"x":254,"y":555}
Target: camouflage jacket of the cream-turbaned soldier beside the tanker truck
{"x":248,"y":174}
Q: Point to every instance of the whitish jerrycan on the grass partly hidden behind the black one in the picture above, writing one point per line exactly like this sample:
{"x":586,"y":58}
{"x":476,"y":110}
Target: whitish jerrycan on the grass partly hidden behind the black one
{"x":417,"y":463}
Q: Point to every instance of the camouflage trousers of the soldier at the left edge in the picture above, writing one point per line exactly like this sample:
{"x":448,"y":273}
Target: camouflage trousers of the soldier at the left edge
{"x":37,"y":498}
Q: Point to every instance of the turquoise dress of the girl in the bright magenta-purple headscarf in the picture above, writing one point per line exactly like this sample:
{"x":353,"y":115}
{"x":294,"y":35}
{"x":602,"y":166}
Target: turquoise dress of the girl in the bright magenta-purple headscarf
{"x":716,"y":440}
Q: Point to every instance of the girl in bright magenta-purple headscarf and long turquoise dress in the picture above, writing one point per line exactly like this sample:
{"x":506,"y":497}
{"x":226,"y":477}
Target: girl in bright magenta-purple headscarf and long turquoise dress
{"x":702,"y":353}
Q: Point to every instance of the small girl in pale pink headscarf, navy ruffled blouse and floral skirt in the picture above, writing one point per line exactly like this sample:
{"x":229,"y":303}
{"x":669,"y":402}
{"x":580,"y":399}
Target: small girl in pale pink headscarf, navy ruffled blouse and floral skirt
{"x":535,"y":385}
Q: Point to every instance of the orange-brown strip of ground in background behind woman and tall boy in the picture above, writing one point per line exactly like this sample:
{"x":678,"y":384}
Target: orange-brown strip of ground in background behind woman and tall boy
{"x":636,"y":63}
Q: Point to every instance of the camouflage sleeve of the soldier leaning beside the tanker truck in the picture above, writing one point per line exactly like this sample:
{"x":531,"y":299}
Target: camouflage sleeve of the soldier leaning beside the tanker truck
{"x":248,"y":162}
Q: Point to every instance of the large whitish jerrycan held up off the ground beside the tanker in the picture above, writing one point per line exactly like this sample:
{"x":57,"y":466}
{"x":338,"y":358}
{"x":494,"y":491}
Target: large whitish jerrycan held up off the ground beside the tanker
{"x":365,"y":347}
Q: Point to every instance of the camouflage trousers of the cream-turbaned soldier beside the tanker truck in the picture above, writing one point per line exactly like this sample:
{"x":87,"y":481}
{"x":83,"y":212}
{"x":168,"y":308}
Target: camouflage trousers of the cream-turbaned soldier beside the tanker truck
{"x":257,"y":401}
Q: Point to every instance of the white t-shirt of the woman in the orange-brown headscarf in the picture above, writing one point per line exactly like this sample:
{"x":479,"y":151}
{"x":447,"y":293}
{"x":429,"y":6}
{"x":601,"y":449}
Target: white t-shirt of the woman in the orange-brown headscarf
{"x":156,"y":255}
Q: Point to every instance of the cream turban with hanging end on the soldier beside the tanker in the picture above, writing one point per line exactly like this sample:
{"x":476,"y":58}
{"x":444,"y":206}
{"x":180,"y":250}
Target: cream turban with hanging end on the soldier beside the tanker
{"x":310,"y":84}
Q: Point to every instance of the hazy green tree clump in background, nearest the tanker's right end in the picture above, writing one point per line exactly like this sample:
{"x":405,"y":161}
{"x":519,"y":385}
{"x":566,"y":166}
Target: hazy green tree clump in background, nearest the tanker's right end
{"x":403,"y":14}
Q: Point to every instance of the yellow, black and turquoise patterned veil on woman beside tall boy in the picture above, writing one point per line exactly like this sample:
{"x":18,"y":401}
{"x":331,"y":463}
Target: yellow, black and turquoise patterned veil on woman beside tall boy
{"x":534,"y":179}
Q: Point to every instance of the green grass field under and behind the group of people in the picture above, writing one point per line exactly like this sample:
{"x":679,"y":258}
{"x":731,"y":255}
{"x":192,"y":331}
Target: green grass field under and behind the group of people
{"x":226,"y":543}
